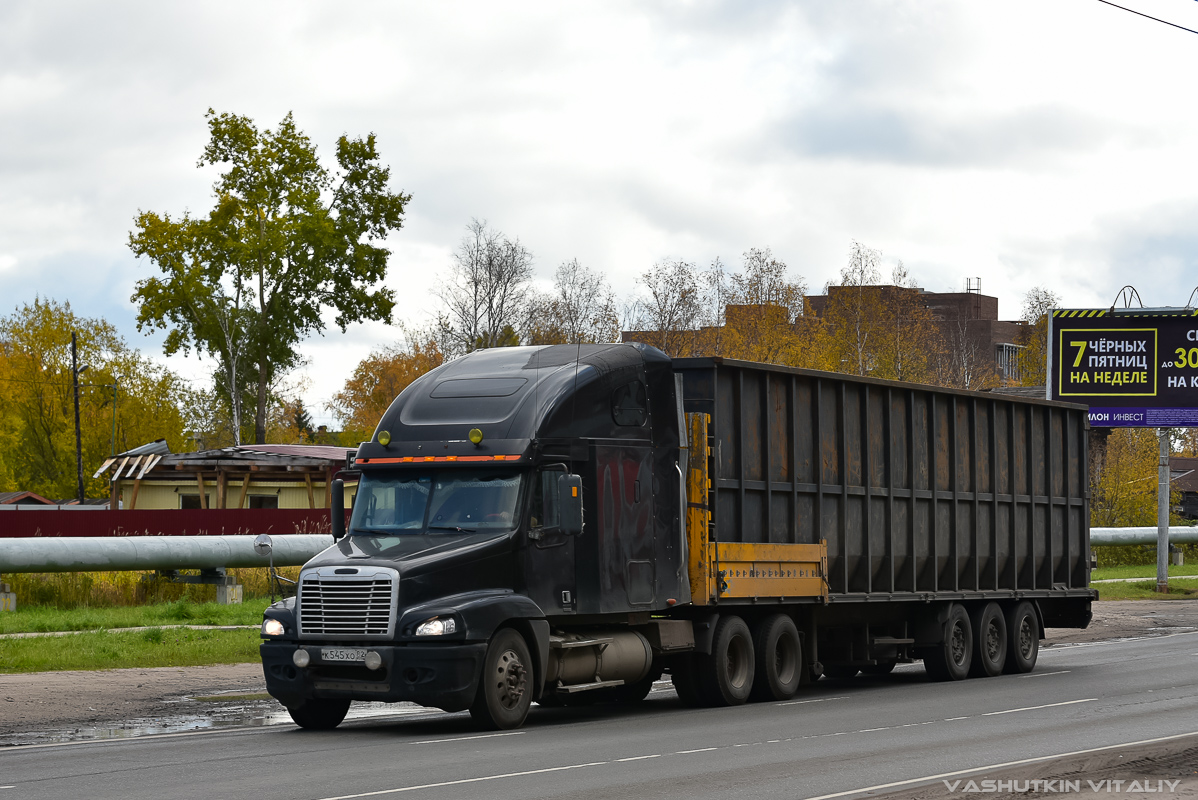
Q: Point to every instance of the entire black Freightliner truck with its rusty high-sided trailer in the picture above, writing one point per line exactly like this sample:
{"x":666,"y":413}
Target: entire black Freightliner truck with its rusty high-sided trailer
{"x":565,"y":525}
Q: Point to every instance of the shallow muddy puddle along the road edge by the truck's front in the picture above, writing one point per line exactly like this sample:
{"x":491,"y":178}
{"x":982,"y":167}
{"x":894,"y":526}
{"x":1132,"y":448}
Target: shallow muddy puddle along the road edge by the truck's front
{"x":215,"y":716}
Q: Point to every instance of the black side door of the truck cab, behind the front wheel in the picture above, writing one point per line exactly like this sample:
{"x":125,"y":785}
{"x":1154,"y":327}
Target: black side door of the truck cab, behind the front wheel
{"x":549,"y":557}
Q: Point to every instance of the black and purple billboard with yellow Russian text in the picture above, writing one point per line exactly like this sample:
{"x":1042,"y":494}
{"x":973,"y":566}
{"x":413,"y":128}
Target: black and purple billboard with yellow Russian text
{"x":1135,"y":368}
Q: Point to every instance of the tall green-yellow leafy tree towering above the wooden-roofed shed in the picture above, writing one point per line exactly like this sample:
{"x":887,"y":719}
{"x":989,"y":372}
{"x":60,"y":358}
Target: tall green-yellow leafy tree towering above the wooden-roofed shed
{"x":288,"y":239}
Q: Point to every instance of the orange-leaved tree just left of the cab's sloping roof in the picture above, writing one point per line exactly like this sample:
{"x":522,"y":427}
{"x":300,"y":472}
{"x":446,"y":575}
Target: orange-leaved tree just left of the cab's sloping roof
{"x":379,"y":379}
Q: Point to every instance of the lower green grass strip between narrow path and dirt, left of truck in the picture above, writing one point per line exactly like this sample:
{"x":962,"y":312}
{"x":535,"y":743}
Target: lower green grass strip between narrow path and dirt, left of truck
{"x":122,"y":650}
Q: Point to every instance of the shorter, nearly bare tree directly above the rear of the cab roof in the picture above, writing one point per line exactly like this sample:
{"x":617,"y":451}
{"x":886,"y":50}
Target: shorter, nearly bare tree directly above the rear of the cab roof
{"x":582,"y":310}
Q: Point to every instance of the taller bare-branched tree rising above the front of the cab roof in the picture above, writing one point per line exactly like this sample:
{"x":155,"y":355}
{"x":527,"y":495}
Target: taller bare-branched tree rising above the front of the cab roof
{"x":487,"y":293}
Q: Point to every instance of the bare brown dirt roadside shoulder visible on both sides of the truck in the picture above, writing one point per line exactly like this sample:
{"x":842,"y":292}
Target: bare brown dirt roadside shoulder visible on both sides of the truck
{"x":56,"y":701}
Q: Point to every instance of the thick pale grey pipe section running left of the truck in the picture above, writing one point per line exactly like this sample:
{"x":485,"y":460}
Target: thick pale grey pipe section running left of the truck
{"x":117,"y":554}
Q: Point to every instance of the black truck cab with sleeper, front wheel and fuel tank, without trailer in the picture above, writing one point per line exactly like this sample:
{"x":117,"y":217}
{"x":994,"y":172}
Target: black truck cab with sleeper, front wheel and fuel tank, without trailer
{"x":504,"y":496}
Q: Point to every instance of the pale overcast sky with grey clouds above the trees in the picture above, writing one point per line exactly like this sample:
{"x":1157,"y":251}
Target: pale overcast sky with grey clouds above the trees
{"x":1028,"y":143}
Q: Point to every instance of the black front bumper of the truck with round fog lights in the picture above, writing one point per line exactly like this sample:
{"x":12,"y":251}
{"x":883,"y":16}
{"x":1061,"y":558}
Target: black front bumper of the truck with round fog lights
{"x":441,"y":676}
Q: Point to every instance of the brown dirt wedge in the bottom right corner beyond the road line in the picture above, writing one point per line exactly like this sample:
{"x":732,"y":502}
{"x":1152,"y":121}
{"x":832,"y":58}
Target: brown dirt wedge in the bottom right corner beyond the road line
{"x":1169,"y":768}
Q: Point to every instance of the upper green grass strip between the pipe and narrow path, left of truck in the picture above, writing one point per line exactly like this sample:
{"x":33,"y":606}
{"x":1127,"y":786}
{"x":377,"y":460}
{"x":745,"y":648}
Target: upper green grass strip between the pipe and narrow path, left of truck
{"x":183,"y":613}
